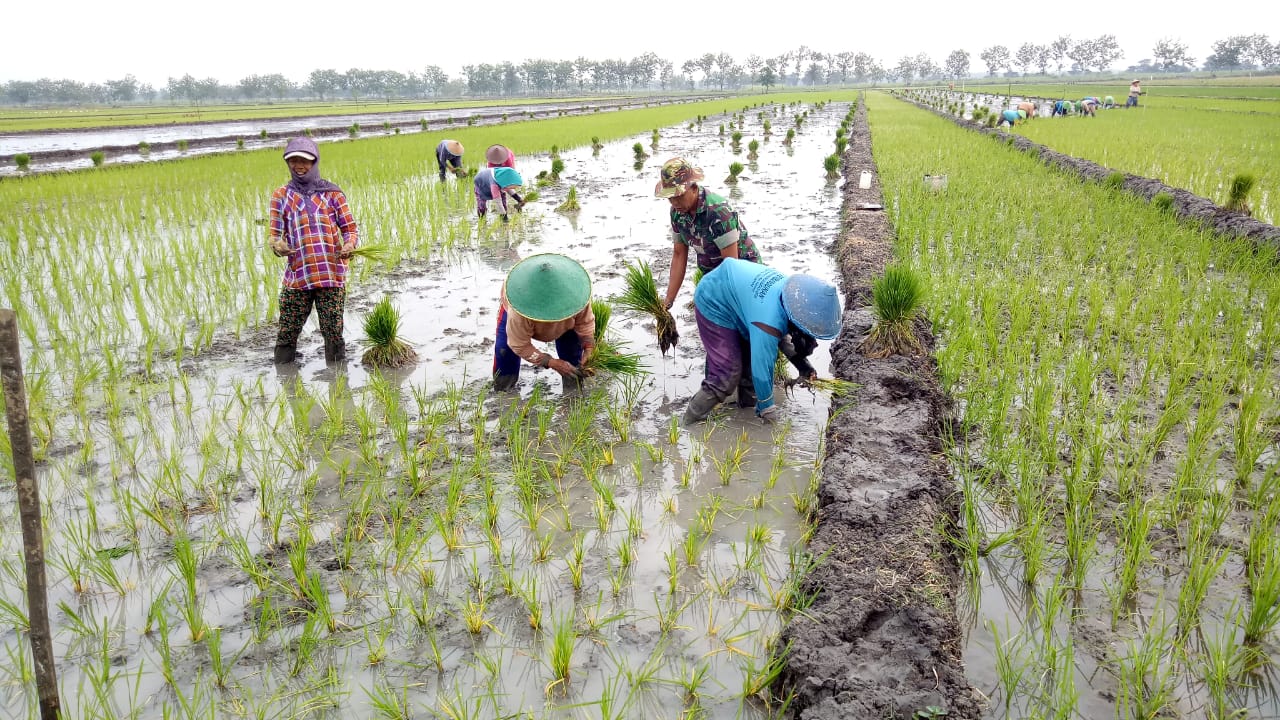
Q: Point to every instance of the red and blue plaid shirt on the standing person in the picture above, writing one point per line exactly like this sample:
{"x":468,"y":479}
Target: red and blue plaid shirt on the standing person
{"x":316,"y":229}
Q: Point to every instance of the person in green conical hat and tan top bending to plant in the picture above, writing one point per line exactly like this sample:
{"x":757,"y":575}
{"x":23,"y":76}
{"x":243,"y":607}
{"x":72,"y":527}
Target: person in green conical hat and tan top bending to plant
{"x":546,"y":298}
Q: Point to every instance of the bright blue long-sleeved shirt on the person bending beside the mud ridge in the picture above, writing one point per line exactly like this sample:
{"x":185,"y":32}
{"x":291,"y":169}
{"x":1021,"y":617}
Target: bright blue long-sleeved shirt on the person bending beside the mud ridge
{"x":748,"y":298}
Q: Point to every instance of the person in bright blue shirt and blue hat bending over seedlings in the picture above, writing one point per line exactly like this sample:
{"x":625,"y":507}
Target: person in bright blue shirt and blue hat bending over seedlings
{"x":746,"y":313}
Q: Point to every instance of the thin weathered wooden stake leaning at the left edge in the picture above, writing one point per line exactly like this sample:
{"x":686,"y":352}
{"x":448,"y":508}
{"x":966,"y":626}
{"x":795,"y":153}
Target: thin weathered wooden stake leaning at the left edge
{"x":29,"y":511}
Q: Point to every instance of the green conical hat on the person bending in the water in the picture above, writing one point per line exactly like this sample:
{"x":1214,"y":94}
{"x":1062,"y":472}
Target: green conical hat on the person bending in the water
{"x":548,"y":288}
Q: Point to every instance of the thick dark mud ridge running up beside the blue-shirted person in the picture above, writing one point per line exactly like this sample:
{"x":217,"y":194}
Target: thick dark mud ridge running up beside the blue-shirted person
{"x":881,"y":639}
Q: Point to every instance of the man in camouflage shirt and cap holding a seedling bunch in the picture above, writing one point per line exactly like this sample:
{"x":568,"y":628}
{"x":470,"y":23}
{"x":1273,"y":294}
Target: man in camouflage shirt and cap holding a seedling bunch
{"x":702,"y":221}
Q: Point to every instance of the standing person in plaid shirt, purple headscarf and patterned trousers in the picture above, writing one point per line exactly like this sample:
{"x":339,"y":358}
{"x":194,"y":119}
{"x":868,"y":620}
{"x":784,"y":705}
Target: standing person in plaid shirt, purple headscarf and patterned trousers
{"x":310,"y":225}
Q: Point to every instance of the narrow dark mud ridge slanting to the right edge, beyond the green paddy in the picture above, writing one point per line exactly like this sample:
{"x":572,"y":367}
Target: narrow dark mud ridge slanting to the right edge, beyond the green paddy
{"x":1188,"y":207}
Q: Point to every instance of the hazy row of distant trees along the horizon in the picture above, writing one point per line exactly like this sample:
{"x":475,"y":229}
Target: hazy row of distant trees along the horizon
{"x":799,"y":67}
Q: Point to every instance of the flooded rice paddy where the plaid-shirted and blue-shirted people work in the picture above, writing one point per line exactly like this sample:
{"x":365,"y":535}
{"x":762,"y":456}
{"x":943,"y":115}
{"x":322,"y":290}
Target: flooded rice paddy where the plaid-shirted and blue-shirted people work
{"x":232,"y":539}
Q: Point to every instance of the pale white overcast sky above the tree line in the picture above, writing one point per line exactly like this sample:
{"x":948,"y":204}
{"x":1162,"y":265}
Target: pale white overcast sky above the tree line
{"x":232,"y":39}
